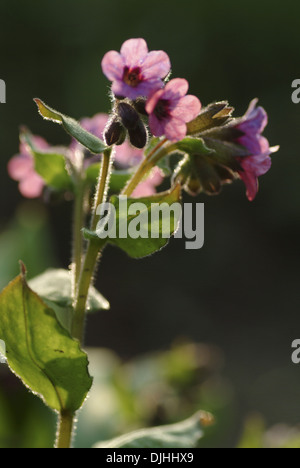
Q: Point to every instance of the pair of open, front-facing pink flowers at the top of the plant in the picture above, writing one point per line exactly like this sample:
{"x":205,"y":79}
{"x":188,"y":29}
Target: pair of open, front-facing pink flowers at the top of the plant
{"x":137,"y":73}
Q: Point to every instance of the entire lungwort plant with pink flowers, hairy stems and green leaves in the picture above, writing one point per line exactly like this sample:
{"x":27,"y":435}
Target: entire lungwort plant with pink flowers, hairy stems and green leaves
{"x":155,"y":133}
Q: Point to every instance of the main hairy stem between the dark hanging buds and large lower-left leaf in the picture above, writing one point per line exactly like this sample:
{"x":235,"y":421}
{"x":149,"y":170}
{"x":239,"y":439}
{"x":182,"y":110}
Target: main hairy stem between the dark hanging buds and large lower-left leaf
{"x":92,"y":254}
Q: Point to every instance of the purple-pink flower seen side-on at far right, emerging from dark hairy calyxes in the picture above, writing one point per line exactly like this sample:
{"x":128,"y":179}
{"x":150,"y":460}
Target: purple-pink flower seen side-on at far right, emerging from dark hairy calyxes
{"x":251,"y":126}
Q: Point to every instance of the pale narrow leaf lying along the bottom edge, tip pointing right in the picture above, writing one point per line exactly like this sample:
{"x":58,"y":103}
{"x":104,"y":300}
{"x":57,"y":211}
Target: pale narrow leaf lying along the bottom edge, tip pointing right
{"x":185,"y":434}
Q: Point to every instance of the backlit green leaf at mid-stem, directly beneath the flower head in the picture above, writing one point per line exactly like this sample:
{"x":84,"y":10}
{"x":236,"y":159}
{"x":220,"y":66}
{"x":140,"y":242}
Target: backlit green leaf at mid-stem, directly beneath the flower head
{"x":154,"y":220}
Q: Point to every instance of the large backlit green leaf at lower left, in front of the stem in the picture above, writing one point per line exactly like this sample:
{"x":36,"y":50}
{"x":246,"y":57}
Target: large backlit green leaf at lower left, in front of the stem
{"x":40,"y":351}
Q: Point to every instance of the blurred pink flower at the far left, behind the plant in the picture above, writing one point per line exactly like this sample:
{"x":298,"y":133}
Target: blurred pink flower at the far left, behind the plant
{"x":21,"y":168}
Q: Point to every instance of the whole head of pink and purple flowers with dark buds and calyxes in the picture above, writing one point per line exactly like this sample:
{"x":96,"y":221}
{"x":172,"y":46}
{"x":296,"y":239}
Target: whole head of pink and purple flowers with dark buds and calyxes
{"x":214,"y":147}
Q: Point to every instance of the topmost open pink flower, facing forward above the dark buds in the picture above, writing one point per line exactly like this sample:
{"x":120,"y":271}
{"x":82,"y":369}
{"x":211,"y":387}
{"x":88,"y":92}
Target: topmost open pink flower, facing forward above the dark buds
{"x":135,"y":71}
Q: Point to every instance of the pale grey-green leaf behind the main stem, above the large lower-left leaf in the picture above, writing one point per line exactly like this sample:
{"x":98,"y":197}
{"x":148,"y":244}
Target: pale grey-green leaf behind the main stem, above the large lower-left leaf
{"x":56,"y":286}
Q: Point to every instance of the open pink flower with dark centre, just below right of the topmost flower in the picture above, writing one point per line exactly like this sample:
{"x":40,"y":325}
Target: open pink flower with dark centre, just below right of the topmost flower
{"x":170,"y":109}
